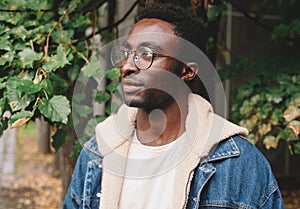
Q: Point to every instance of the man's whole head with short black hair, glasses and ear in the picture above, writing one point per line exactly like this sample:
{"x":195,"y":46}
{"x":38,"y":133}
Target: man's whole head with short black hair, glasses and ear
{"x":153,"y":77}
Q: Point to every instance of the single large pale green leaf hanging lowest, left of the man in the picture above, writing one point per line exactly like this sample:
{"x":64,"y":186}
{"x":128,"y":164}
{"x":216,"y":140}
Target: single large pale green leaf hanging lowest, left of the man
{"x":56,"y":109}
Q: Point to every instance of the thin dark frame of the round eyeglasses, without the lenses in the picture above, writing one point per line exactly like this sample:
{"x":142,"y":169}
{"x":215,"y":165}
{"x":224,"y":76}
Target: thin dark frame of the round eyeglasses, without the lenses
{"x":134,"y":52}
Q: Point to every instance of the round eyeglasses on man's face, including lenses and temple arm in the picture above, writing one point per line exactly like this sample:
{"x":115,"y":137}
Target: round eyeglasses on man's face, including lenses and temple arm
{"x":142,"y":57}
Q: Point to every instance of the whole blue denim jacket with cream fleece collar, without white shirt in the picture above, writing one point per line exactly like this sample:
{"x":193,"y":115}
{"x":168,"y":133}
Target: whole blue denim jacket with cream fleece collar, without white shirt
{"x":217,"y":167}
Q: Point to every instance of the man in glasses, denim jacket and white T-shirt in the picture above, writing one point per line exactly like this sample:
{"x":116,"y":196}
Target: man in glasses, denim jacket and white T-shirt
{"x":166,"y":148}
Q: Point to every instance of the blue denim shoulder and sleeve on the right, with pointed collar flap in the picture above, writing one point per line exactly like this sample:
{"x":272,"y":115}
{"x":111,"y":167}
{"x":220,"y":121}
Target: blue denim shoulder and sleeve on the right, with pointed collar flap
{"x":235,"y":175}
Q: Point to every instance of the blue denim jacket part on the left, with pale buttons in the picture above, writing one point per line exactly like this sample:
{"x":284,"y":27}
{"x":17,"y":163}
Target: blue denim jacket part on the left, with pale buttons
{"x":84,"y":188}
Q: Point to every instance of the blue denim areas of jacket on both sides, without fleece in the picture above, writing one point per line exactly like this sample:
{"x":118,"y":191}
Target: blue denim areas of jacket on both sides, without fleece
{"x":234,"y":175}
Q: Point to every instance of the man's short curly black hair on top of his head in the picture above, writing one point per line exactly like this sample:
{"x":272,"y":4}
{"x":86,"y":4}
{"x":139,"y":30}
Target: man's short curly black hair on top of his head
{"x":185,"y":25}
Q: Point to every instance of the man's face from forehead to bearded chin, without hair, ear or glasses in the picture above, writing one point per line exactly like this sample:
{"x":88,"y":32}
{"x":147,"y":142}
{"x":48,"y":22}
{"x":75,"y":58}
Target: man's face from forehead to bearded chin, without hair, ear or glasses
{"x":155,"y":87}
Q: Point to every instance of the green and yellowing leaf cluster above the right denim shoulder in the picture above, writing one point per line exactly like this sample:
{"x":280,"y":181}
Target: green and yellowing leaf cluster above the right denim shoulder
{"x":268,"y":104}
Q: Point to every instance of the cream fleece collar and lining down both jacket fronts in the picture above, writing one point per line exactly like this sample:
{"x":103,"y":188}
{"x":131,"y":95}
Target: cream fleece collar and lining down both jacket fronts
{"x":204,"y":131}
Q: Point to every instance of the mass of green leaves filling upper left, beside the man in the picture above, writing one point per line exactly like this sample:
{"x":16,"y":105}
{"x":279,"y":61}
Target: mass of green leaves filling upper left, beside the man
{"x":40,"y":60}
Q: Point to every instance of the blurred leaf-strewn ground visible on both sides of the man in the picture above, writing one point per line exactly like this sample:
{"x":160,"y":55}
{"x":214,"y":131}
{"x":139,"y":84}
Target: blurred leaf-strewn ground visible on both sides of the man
{"x":36,"y":186}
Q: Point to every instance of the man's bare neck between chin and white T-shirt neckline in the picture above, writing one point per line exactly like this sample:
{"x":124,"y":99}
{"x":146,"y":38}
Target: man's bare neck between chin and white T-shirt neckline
{"x":160,"y":127}
